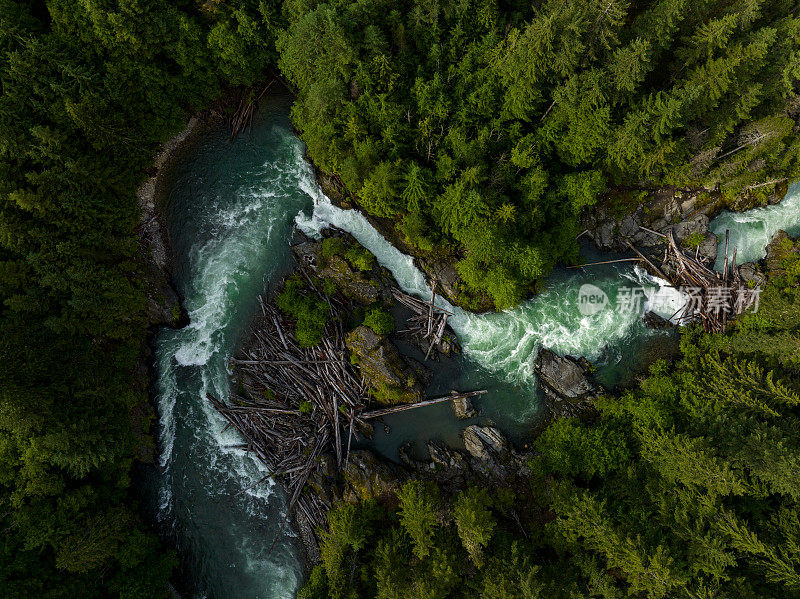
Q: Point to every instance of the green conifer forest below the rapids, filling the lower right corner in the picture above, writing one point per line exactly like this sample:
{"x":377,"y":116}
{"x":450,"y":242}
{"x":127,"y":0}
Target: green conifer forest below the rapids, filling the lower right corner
{"x":685,"y":486}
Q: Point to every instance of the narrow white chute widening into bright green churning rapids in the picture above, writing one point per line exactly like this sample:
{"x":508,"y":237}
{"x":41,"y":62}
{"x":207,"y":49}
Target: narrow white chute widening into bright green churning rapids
{"x":506,"y":342}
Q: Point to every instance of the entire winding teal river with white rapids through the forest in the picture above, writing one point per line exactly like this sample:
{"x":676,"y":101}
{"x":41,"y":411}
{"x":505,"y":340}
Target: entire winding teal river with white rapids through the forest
{"x":232,"y":210}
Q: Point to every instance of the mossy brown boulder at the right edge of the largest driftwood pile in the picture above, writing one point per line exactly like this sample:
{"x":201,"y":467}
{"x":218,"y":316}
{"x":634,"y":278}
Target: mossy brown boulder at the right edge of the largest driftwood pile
{"x":389,"y":376}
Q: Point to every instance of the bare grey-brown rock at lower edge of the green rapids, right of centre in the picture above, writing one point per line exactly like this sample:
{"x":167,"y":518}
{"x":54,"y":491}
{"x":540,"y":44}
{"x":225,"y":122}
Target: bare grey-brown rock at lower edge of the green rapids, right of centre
{"x":567,"y":383}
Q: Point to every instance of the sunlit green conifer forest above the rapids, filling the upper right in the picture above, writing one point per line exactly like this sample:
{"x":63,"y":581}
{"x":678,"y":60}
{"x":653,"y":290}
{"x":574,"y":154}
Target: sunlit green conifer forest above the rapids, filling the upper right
{"x":456,"y":118}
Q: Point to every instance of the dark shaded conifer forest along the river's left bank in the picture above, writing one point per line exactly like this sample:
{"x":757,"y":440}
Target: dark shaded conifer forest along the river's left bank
{"x":89,"y":92}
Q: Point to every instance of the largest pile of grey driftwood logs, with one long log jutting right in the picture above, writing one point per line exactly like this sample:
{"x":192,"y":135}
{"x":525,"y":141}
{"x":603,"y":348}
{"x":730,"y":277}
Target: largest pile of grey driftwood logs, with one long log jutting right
{"x":300,"y":403}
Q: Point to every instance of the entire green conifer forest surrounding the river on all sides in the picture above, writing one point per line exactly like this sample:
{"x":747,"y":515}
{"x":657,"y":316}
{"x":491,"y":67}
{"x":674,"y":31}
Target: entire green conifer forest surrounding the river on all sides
{"x":480,"y":129}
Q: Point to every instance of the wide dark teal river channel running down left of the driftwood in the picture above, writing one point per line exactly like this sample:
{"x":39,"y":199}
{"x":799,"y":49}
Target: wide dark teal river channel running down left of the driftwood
{"x":231,"y":208}
